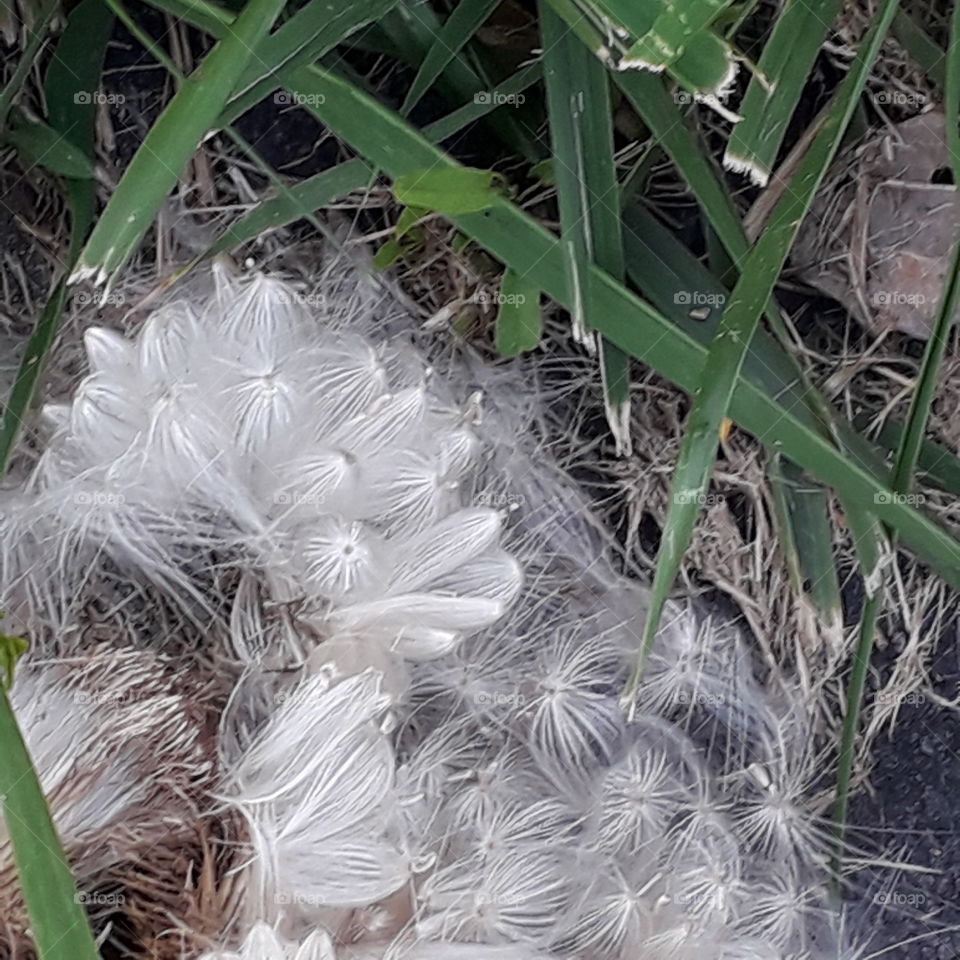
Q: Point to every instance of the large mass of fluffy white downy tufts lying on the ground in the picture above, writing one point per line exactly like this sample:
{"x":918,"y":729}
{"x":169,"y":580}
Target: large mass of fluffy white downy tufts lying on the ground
{"x":428,"y":634}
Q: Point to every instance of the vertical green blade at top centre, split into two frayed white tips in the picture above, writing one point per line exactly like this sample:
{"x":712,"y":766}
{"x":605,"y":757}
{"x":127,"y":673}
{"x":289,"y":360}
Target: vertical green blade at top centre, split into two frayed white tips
{"x":584,"y":170}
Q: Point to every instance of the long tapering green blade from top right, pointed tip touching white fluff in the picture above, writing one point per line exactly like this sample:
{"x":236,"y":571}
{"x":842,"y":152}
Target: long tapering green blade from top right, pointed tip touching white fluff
{"x":760,"y":271}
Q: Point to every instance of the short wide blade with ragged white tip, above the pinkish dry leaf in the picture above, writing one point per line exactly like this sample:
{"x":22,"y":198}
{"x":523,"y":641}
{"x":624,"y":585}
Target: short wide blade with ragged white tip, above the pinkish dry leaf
{"x":773,"y":94}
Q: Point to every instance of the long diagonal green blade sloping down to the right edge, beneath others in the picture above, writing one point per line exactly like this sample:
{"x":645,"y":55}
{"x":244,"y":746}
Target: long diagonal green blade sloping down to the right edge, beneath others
{"x":389,"y":143}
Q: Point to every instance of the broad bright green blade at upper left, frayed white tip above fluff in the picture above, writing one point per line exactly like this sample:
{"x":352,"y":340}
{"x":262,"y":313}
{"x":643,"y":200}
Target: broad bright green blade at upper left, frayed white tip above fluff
{"x":170,"y":143}
